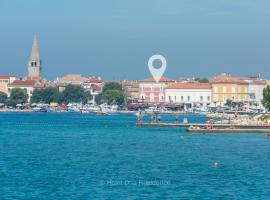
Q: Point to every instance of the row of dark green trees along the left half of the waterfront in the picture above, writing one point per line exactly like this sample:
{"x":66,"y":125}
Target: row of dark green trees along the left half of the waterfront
{"x":112,"y":94}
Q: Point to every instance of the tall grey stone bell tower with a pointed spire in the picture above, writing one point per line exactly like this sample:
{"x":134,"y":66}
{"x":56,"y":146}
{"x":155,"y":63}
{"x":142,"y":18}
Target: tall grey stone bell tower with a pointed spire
{"x":34,"y":64}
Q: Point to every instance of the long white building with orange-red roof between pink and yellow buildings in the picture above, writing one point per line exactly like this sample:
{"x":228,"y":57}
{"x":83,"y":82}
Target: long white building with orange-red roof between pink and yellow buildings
{"x":189,"y":94}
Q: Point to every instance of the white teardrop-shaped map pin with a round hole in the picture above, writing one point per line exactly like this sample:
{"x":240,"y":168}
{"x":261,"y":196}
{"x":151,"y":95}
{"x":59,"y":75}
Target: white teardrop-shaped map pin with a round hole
{"x":157,"y":72}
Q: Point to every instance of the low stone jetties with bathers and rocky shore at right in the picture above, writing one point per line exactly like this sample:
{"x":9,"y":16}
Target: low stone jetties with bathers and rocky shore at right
{"x":226,"y":124}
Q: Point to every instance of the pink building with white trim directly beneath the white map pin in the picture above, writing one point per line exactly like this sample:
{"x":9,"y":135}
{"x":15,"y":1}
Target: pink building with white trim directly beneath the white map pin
{"x":153,"y":92}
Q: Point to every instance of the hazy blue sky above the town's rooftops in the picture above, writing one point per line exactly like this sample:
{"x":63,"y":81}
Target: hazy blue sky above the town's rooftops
{"x":115,"y":38}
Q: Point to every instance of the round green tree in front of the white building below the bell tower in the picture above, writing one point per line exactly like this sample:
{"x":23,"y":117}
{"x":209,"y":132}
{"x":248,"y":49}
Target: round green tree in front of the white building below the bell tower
{"x":17,"y":96}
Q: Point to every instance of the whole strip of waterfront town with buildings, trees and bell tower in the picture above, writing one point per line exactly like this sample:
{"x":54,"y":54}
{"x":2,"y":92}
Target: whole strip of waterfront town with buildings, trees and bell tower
{"x":79,"y":93}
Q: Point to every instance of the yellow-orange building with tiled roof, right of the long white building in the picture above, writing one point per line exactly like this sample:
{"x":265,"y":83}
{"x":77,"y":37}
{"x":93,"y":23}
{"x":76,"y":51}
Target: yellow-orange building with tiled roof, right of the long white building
{"x":226,"y":87}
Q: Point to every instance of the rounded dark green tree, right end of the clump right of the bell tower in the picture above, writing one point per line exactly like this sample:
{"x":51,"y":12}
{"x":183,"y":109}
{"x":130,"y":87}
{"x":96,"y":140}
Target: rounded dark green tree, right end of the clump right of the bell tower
{"x":74,"y":93}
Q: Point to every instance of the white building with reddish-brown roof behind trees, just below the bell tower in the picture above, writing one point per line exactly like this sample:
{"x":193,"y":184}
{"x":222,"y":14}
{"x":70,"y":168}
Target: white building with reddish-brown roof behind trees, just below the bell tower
{"x":27,"y":85}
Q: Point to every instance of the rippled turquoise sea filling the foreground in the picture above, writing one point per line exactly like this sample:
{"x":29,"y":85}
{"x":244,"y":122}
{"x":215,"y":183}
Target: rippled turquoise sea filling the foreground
{"x":79,"y":156}
